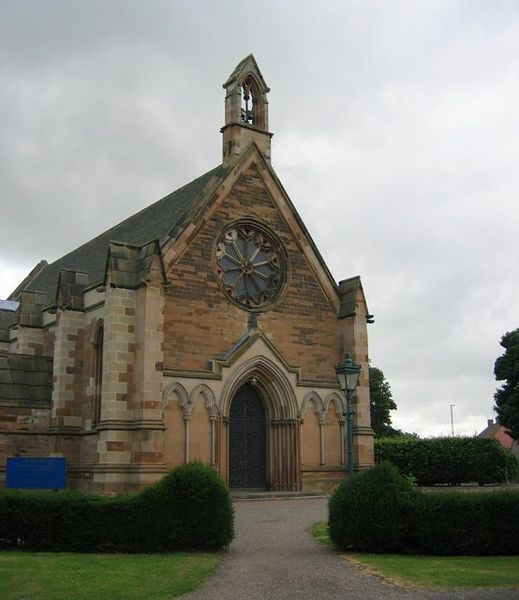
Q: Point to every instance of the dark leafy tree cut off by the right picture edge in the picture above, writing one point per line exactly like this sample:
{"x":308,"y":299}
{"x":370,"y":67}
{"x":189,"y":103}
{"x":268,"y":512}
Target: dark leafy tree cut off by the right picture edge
{"x":506,"y":368}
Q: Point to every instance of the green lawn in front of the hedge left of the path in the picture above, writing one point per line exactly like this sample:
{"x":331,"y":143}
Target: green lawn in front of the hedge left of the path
{"x":67,"y":576}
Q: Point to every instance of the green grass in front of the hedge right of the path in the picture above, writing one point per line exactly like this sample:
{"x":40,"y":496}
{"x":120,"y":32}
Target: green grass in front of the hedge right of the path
{"x":436,"y":571}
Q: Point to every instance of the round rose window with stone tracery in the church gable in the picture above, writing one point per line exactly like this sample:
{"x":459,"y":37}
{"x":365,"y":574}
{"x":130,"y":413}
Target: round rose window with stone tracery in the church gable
{"x":250,"y":266}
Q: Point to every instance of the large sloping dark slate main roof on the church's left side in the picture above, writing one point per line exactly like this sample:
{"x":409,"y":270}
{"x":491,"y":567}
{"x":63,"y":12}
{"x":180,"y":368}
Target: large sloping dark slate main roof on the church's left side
{"x":162,"y":220}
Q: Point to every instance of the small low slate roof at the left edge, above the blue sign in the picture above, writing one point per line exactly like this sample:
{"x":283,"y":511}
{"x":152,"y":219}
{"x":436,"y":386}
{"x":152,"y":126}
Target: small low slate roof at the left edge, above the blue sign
{"x":25,"y":378}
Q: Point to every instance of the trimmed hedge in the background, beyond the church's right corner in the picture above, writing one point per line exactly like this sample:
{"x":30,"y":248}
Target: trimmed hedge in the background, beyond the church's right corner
{"x":449,"y":460}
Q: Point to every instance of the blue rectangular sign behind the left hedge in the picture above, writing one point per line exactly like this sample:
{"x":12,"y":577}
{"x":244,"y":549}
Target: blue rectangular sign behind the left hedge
{"x":36,"y":473}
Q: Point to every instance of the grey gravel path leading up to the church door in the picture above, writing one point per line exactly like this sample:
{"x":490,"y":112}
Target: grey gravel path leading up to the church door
{"x":274,"y":557}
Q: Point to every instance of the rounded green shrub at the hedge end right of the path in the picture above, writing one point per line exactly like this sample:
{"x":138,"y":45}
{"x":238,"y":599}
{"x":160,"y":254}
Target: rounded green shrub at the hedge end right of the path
{"x":371,"y":511}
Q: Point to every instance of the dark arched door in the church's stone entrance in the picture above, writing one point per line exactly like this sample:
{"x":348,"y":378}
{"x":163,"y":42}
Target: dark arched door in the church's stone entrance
{"x":247,"y":465}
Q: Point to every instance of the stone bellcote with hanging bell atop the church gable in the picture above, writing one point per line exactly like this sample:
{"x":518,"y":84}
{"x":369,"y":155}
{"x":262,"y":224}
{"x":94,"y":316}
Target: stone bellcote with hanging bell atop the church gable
{"x":246,"y":111}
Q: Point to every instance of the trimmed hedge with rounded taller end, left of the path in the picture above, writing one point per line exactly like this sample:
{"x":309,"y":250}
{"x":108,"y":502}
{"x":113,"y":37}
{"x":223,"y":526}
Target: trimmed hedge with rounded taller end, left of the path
{"x":188,"y":509}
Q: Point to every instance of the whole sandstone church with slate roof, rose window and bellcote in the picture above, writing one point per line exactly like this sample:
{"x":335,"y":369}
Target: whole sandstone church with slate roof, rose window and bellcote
{"x":206,"y":327}
